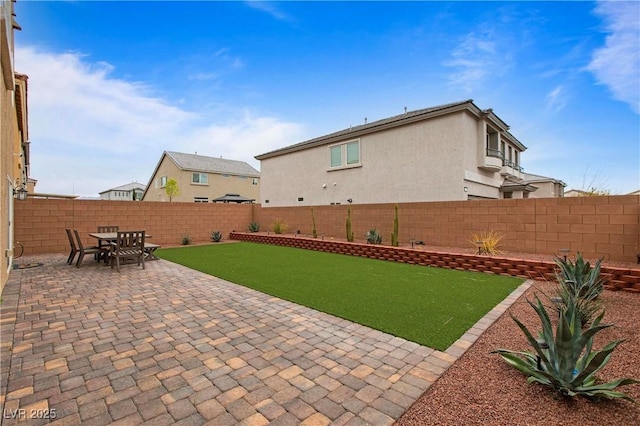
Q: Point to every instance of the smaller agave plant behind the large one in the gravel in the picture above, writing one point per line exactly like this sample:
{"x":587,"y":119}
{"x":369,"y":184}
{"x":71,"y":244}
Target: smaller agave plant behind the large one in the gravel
{"x":580,"y":278}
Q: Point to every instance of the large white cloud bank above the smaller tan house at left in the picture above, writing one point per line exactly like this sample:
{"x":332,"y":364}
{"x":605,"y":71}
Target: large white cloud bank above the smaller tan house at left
{"x":91,"y":132}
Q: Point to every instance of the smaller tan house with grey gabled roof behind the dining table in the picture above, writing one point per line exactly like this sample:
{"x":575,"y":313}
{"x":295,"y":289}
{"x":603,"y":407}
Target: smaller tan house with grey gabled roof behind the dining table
{"x":202,"y":179}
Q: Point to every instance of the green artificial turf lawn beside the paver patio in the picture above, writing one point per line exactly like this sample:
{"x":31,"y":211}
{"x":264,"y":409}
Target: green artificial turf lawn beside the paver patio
{"x":427,"y":305}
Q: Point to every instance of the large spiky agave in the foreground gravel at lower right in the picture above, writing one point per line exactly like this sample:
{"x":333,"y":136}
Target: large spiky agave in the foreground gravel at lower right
{"x":565,"y":361}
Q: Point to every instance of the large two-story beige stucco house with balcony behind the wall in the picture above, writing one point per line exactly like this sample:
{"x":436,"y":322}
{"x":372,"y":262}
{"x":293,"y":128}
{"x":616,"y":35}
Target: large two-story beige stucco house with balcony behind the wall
{"x":450,"y":152}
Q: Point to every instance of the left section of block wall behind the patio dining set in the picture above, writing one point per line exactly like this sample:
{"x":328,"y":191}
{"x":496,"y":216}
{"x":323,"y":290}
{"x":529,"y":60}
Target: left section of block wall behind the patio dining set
{"x":40,"y":223}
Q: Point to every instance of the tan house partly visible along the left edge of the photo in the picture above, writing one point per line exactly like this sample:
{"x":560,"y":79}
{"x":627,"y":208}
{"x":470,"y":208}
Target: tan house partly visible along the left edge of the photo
{"x":14,"y":137}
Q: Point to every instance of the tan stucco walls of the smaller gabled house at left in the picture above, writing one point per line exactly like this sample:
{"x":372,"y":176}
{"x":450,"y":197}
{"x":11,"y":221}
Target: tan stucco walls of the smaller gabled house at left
{"x":218,"y":185}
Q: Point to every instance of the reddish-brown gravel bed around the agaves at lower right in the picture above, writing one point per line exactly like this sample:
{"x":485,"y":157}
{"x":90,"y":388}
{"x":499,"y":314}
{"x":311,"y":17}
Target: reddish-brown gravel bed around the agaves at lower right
{"x":481,"y":389}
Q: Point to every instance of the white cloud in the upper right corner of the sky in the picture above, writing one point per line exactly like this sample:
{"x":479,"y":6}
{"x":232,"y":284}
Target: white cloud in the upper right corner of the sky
{"x":617,"y":64}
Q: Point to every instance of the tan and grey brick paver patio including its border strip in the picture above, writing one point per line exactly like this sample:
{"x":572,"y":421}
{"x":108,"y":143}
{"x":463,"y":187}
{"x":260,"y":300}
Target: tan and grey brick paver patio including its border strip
{"x":170,"y":345}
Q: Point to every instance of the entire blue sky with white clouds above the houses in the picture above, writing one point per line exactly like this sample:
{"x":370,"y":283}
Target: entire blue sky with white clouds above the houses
{"x":114,"y":84}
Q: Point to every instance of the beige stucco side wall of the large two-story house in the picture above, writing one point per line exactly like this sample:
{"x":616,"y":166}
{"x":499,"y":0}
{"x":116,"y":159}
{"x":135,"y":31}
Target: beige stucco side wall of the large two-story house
{"x":432,"y":160}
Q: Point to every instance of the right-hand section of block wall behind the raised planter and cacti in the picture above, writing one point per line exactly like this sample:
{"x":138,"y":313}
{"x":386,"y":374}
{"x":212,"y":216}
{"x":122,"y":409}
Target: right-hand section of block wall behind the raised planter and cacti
{"x":606,"y":226}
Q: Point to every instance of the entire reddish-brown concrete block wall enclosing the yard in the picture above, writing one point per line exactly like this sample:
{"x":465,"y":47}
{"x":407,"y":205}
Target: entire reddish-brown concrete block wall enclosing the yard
{"x":607,"y":226}
